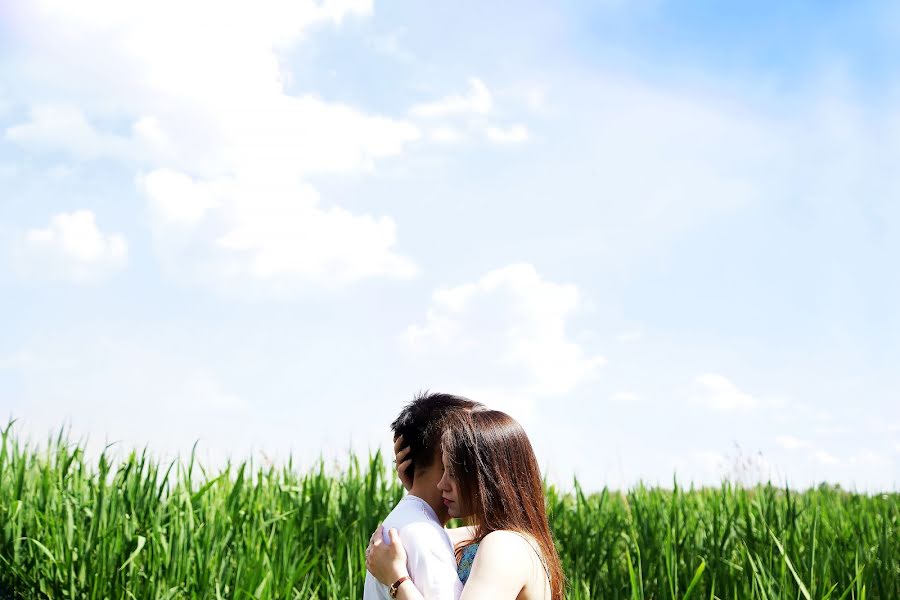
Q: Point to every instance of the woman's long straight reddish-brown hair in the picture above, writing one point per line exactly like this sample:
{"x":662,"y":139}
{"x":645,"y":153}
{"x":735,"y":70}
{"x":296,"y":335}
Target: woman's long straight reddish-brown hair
{"x":499,"y":482}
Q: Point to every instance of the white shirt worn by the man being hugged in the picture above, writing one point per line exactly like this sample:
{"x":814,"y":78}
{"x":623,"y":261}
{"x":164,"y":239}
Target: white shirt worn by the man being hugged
{"x":429,"y":552}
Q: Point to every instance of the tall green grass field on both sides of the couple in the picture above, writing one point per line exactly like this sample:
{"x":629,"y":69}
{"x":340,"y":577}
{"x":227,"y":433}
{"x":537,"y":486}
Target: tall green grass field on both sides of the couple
{"x":144,"y":530}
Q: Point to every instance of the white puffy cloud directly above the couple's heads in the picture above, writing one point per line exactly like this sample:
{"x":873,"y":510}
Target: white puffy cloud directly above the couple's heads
{"x":505,"y":335}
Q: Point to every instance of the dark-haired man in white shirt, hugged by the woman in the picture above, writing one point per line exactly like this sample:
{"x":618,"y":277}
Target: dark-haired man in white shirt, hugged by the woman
{"x":420,"y":516}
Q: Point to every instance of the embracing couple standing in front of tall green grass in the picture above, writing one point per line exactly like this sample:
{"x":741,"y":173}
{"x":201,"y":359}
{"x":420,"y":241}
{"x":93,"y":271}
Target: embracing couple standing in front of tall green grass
{"x":459,"y":459}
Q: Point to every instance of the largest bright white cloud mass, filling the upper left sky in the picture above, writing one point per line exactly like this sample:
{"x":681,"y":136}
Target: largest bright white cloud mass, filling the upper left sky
{"x":222,"y":152}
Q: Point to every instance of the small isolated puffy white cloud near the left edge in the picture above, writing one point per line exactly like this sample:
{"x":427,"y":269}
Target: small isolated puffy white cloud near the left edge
{"x":73,"y":248}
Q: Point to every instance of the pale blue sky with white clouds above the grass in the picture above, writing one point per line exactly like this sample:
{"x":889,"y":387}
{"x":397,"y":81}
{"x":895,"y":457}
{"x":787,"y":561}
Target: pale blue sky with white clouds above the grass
{"x":662,"y":235}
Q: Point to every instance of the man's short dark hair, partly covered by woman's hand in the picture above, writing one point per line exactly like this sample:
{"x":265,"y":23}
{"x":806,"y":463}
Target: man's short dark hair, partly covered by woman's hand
{"x":422,"y":423}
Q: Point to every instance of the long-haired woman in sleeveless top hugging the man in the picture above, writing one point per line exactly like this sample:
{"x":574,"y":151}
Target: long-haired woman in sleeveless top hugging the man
{"x":491,"y":478}
